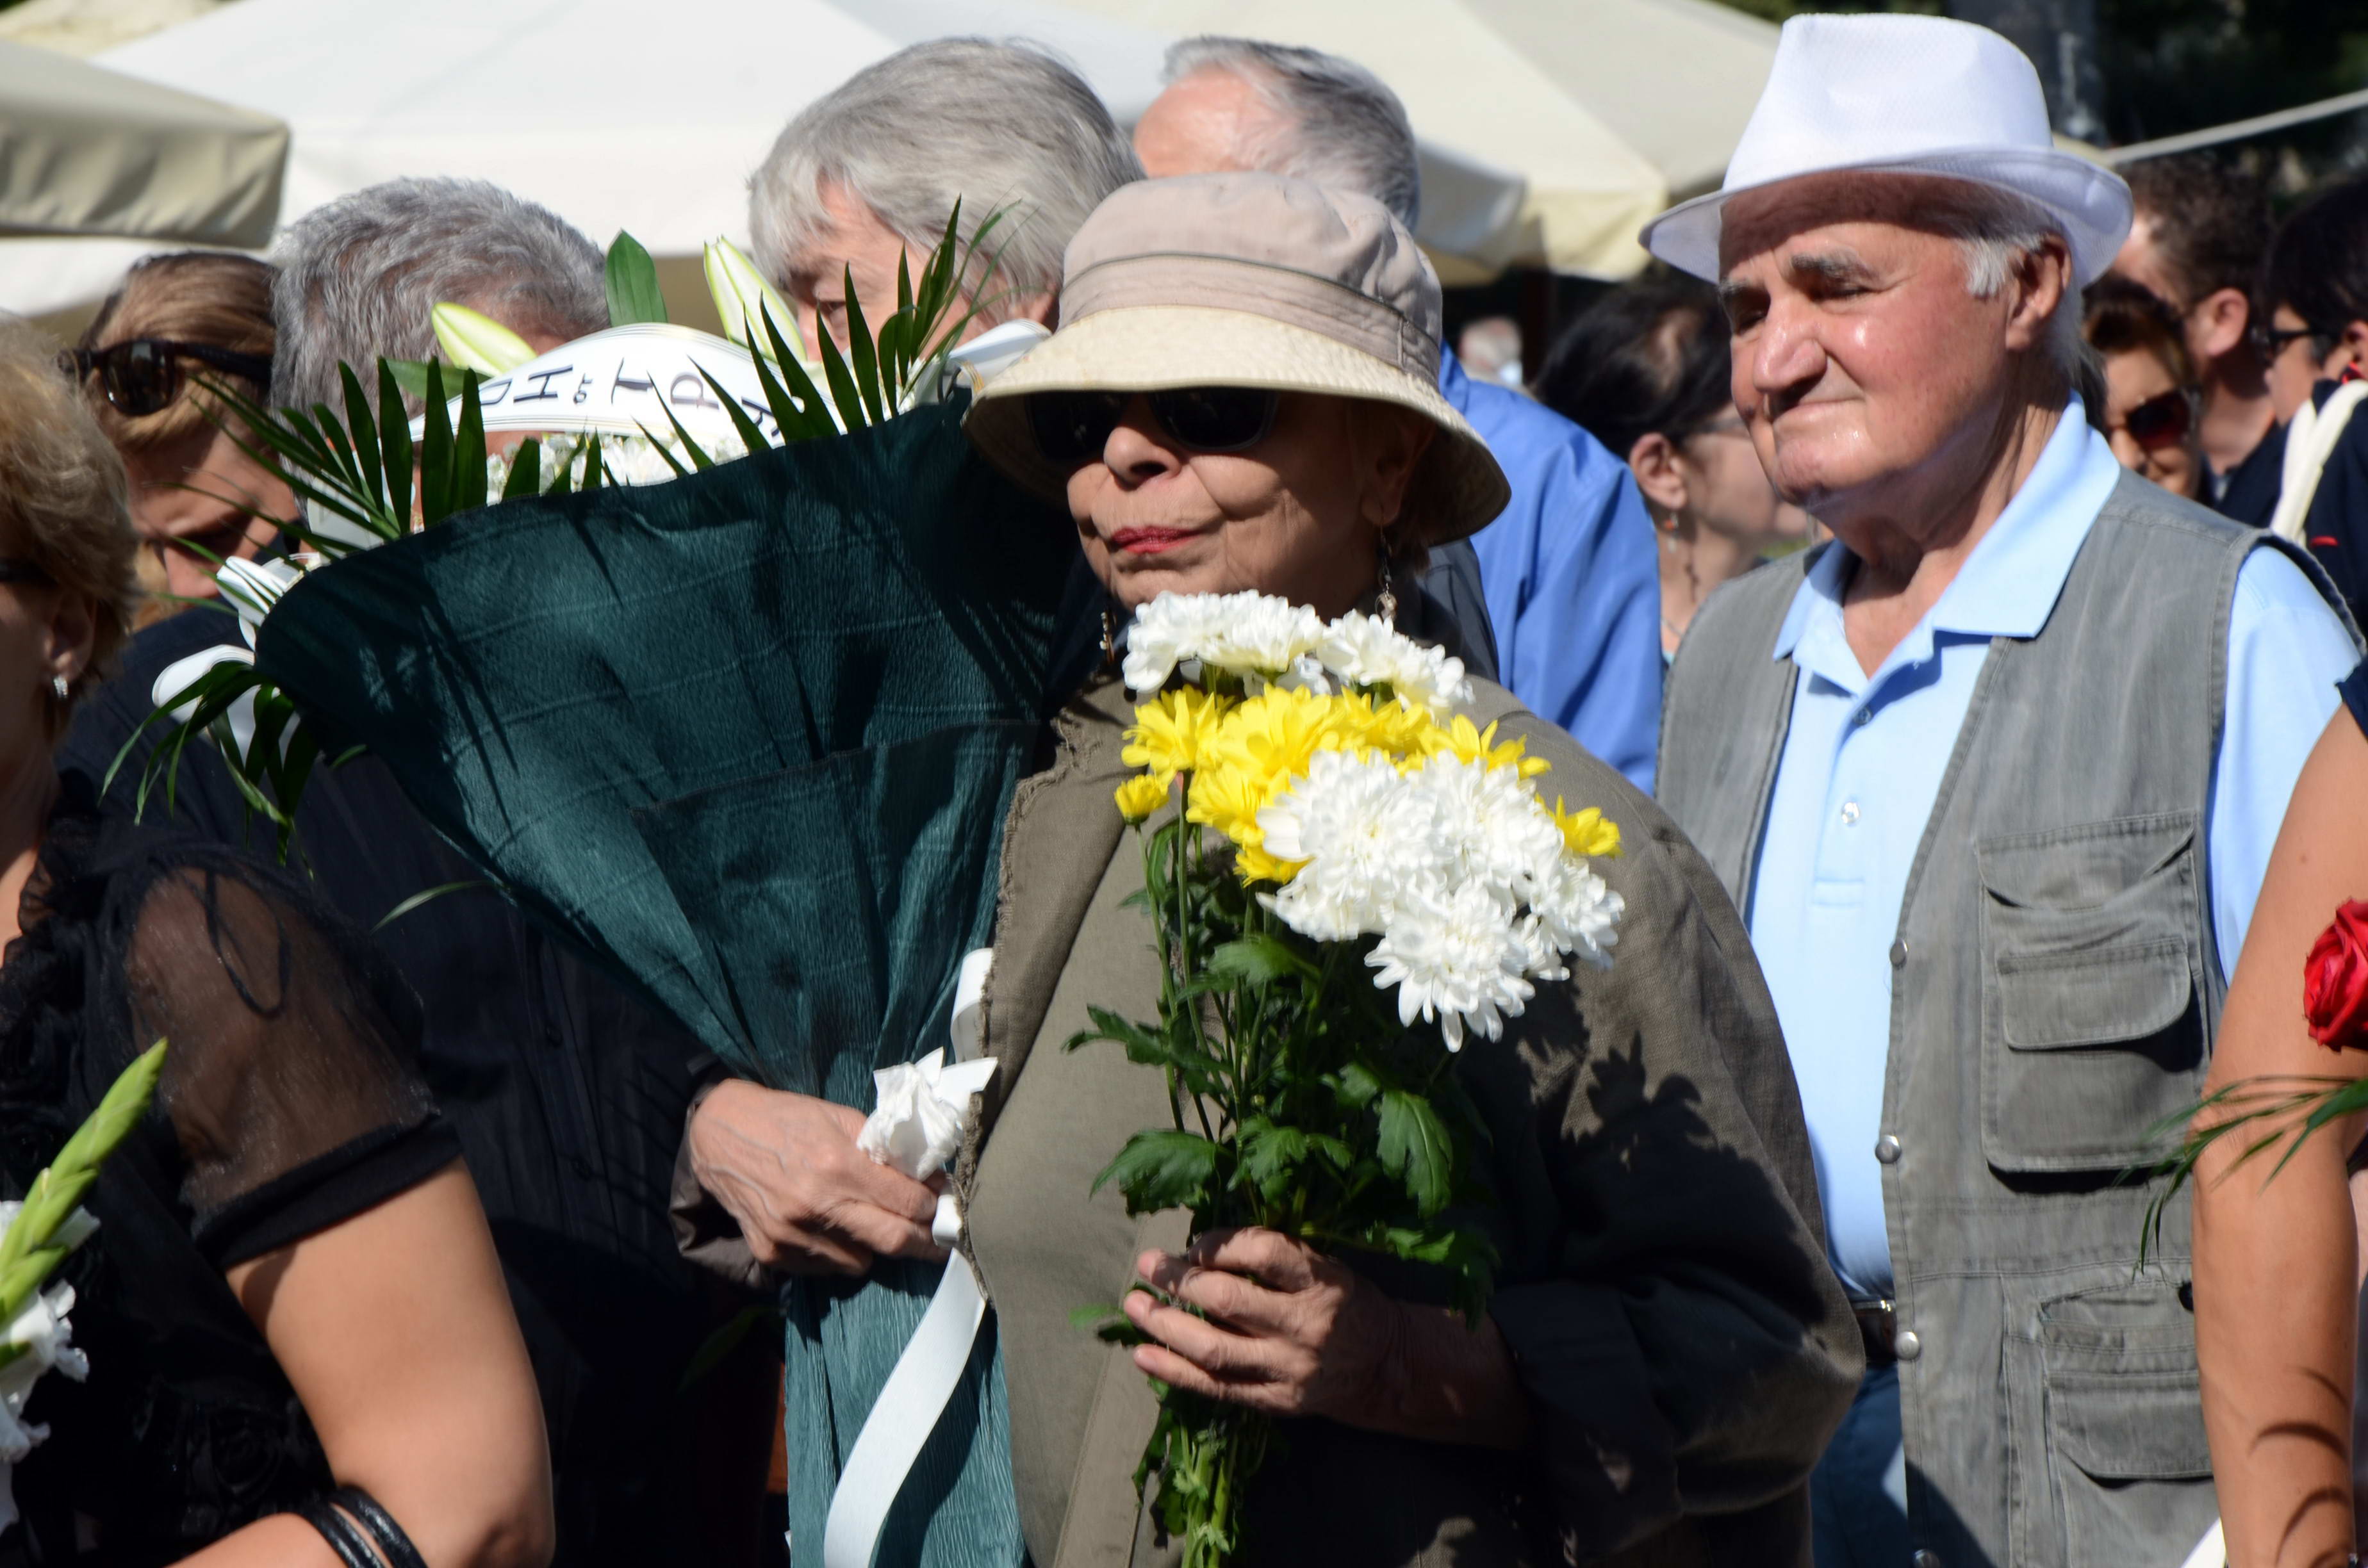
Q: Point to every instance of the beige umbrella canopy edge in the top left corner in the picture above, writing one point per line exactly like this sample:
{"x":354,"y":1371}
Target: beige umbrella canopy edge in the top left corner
{"x":98,"y":153}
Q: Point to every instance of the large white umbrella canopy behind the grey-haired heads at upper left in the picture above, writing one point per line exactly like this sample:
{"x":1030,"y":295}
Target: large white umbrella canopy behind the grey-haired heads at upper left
{"x":607,"y":115}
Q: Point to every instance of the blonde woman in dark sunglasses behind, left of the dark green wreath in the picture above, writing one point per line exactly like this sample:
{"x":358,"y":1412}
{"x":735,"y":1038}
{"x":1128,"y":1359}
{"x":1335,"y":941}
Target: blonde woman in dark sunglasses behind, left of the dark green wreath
{"x":198,"y":499}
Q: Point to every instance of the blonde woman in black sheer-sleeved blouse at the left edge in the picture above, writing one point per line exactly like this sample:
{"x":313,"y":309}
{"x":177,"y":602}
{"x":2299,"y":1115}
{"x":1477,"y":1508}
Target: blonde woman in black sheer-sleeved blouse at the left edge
{"x":297,"y":1330}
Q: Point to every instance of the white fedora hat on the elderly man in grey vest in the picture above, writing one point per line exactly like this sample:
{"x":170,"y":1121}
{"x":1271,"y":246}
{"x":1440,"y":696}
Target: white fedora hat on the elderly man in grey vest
{"x":1917,"y":96}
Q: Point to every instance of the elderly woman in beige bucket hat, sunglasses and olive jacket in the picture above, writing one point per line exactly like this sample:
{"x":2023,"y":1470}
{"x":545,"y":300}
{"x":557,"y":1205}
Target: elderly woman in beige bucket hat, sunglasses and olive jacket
{"x":1242,"y":399}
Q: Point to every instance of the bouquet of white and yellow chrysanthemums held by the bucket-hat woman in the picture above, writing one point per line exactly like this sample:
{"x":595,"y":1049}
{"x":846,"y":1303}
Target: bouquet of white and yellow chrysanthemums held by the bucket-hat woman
{"x":1344,"y":835}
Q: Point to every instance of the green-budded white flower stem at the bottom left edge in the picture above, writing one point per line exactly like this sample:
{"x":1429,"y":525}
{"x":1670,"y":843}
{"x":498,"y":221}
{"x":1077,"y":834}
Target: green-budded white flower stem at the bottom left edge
{"x":37,"y":1235}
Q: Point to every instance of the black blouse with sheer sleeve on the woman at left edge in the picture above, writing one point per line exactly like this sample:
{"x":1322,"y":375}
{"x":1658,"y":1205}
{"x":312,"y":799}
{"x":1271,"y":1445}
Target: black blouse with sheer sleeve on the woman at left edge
{"x":290,"y":1103}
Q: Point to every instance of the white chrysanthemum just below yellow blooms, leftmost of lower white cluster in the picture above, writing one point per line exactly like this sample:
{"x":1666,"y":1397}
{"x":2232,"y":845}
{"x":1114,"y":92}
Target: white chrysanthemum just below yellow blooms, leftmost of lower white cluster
{"x":1370,"y":840}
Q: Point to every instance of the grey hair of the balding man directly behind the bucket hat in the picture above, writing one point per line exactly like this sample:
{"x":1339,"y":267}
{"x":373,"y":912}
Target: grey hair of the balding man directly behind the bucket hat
{"x":1339,"y":122}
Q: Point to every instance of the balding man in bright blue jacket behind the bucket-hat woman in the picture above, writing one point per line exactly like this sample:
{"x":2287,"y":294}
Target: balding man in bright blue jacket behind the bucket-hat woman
{"x":1566,"y":572}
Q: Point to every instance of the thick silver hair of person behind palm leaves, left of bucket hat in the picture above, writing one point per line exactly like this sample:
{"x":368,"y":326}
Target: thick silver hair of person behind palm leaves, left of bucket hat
{"x":1003,"y":127}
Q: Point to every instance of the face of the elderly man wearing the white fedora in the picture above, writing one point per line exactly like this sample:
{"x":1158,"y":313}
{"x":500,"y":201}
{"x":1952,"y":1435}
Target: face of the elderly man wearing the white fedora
{"x":1870,"y":375}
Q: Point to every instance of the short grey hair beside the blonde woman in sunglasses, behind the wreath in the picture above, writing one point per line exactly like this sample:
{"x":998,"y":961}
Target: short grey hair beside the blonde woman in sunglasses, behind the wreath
{"x":361,"y":276}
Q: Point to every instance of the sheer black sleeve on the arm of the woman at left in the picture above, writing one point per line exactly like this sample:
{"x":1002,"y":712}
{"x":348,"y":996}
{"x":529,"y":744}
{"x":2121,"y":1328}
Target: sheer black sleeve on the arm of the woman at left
{"x":290,"y":1072}
